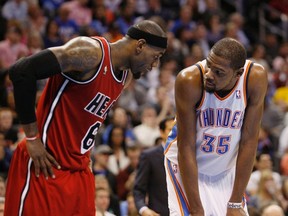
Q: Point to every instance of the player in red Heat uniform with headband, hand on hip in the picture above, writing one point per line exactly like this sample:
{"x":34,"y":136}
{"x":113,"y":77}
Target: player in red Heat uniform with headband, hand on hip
{"x":49,"y":172}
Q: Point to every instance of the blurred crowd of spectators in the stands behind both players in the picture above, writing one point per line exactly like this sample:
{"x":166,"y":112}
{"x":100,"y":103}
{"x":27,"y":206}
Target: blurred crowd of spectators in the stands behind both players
{"x":193,"y":26}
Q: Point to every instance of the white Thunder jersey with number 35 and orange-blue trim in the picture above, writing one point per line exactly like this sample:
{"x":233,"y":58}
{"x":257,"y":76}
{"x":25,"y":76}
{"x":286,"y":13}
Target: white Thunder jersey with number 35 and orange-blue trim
{"x":219,"y":122}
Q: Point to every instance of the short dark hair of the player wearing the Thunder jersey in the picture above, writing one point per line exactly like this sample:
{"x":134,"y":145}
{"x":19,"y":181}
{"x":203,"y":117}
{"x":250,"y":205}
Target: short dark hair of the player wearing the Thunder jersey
{"x":232,"y":50}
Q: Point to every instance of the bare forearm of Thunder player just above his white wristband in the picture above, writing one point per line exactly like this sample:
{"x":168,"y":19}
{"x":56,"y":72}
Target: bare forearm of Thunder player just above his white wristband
{"x":244,"y":166}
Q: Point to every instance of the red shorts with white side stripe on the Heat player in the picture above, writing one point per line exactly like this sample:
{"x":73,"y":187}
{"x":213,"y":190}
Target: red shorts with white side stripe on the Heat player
{"x":70,"y":193}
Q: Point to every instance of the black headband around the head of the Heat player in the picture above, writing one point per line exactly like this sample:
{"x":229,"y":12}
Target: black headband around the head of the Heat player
{"x":151,"y":39}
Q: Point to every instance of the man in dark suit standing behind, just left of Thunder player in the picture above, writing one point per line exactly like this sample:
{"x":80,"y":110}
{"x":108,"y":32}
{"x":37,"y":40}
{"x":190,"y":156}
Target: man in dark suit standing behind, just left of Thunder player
{"x":150,"y":189}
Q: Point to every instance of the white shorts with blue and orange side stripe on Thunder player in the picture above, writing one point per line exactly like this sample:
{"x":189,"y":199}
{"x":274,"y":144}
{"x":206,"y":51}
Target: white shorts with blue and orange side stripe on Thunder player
{"x":214,"y":192}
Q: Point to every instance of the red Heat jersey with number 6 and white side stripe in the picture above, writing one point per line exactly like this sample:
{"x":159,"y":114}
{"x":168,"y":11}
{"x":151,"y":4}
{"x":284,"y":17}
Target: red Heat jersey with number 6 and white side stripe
{"x":70,"y":112}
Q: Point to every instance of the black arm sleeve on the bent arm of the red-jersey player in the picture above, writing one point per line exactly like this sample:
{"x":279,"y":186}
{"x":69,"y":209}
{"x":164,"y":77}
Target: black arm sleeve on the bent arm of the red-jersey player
{"x":24,"y":74}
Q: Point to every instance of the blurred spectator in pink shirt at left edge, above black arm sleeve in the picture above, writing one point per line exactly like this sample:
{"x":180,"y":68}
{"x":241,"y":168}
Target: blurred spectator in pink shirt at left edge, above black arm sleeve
{"x":11,"y":49}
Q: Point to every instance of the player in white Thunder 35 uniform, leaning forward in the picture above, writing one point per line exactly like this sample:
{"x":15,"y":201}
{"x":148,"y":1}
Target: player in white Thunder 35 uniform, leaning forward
{"x":210,"y":152}
